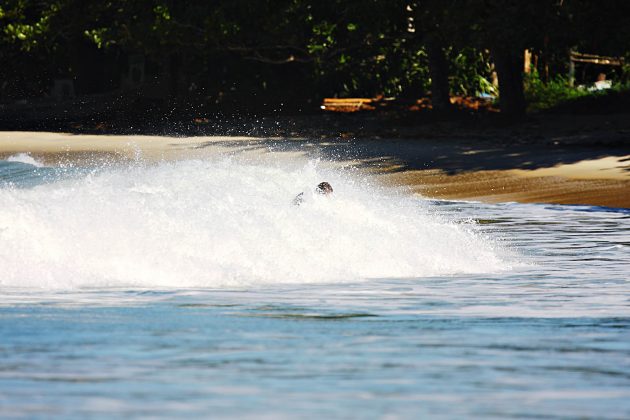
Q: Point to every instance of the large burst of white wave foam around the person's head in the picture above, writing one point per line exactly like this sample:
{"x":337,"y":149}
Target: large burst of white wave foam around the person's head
{"x":217,"y":223}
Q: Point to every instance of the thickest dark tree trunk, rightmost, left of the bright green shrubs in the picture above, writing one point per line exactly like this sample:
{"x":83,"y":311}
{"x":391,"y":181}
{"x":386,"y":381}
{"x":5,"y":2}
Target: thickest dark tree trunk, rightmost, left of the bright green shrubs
{"x":509,"y":66}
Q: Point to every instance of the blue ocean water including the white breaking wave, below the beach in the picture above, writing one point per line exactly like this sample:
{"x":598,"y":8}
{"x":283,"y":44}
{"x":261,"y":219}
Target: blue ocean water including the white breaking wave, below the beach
{"x":196,"y":288}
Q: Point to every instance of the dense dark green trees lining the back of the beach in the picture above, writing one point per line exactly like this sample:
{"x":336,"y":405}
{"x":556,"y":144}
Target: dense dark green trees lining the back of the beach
{"x":289,"y":54}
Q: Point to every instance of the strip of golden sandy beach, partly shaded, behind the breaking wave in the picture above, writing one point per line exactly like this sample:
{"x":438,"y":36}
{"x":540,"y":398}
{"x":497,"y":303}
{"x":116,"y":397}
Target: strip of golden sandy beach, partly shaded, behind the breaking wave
{"x":435,"y":168}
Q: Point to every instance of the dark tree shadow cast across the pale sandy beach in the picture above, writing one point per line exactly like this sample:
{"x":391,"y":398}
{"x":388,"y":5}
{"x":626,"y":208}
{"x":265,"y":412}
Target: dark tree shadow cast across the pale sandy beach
{"x":450,"y":156}
